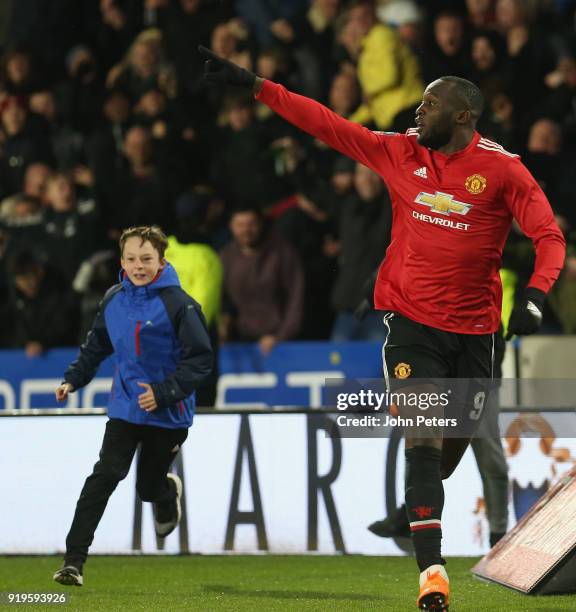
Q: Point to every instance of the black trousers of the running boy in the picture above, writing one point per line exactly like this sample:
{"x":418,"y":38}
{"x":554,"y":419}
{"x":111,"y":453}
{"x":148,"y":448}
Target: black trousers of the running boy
{"x":159,"y":447}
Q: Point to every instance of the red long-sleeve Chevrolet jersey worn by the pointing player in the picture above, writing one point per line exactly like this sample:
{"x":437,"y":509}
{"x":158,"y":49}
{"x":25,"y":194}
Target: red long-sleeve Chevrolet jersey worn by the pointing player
{"x":451,"y":216}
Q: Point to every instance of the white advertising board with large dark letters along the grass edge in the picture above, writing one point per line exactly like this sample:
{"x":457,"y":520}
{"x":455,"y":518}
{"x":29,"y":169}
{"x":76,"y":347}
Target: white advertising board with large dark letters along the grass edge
{"x":254,"y":483}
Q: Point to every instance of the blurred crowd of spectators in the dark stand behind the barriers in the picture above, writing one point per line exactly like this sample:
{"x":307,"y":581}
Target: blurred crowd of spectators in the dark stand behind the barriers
{"x":105,"y":123}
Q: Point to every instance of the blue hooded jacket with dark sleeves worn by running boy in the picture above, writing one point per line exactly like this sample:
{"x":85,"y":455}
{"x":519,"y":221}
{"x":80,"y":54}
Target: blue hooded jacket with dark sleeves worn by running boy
{"x":159,"y":336}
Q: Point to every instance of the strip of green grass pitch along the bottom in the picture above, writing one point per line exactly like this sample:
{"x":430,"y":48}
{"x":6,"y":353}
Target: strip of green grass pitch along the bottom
{"x":256,"y":583}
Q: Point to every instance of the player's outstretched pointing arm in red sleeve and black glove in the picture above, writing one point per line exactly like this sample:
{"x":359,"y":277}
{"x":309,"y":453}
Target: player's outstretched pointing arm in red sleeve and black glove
{"x":310,"y":116}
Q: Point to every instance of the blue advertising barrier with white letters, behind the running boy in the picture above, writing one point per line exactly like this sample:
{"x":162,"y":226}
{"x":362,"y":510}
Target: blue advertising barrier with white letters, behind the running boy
{"x":292,"y":375}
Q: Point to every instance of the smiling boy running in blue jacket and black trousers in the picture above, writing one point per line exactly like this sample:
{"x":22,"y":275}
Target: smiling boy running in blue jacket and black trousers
{"x":163,"y":353}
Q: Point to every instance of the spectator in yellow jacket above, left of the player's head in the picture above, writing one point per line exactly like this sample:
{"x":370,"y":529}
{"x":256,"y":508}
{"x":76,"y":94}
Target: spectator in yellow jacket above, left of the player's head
{"x":388,"y":71}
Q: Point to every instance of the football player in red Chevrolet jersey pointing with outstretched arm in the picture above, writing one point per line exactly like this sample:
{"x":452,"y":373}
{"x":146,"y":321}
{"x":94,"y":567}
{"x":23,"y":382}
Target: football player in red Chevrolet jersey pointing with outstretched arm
{"x":454,"y":196}
